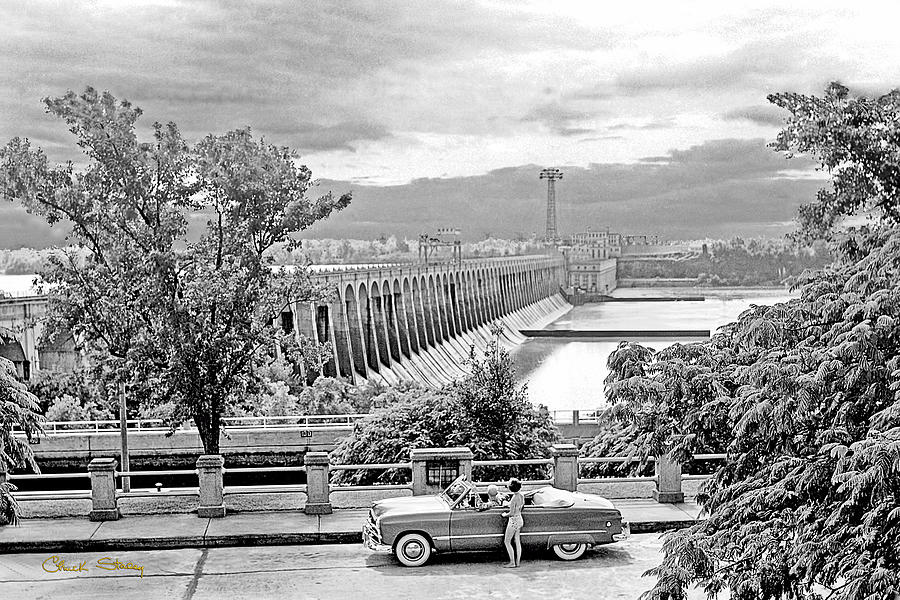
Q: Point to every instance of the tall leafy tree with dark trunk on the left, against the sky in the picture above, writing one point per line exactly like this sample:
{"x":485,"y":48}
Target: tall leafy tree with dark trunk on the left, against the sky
{"x":183,"y":314}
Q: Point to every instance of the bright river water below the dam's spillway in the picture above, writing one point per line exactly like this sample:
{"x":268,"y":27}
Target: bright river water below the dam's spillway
{"x":568,"y":374}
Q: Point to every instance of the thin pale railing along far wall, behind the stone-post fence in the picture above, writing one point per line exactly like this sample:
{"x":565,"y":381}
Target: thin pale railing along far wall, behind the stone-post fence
{"x":560,"y":417}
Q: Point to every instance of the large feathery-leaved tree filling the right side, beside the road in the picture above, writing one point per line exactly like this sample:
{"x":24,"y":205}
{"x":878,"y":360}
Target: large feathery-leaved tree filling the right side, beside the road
{"x":807,"y":503}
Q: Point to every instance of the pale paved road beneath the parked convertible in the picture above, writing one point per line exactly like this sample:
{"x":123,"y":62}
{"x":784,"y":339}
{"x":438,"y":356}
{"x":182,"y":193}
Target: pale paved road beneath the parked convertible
{"x":329,"y":571}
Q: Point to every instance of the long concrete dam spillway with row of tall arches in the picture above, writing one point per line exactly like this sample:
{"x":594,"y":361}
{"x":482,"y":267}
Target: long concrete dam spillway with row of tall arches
{"x":390,"y":323}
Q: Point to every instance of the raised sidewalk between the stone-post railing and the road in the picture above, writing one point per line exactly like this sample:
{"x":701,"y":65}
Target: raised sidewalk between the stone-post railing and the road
{"x":344,"y":526}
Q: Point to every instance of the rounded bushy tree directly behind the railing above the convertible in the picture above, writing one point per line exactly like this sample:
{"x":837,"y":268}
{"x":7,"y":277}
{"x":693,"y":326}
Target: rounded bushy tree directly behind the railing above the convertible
{"x":485,"y":411}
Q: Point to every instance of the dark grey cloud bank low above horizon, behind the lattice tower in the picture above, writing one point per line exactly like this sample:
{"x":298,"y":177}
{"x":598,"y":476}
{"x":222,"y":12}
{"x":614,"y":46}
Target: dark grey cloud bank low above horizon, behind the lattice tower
{"x":723,"y":187}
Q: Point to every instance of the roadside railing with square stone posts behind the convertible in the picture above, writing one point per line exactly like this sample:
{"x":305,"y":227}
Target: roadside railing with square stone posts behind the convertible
{"x":564,"y":473}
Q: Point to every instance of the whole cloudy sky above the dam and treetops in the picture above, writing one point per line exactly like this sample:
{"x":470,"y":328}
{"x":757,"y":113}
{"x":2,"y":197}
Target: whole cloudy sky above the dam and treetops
{"x":441,"y":114}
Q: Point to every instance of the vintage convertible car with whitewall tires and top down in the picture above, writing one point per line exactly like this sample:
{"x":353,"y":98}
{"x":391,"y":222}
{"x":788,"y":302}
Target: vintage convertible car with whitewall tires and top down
{"x":461,"y":519}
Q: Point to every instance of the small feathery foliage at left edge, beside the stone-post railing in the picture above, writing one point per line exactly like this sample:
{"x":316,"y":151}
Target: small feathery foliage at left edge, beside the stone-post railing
{"x":18,"y":407}
